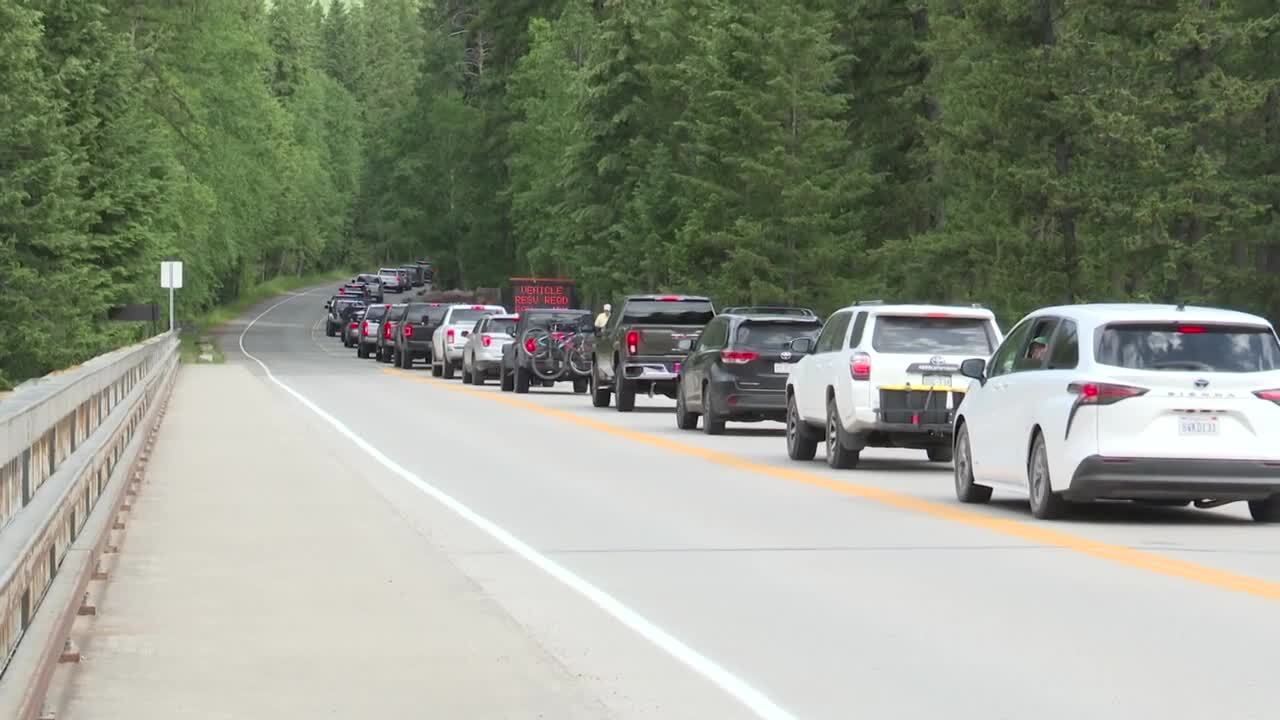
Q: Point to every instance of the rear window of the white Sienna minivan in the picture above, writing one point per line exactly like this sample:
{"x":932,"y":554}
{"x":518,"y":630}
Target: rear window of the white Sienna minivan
{"x":1185,"y":347}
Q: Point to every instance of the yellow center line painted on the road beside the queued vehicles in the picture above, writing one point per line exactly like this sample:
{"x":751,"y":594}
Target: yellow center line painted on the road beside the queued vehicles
{"x":1035,"y":534}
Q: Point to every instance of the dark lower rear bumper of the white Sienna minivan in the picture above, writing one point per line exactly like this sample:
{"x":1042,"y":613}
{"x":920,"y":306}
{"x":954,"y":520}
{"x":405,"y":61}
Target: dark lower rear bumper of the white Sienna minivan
{"x":1160,"y":479}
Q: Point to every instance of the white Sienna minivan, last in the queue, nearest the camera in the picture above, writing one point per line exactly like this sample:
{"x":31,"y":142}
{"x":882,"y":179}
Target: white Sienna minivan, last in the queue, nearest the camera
{"x":1158,"y":404}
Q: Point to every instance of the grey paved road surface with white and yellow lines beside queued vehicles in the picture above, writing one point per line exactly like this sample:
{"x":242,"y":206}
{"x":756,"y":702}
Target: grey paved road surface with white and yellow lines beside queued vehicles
{"x":680,"y":576}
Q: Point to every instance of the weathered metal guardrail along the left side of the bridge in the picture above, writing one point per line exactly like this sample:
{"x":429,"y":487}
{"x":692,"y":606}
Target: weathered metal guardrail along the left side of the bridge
{"x":62,"y":440}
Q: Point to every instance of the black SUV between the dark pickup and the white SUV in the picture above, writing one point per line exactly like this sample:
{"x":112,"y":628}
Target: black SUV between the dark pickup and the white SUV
{"x":739,"y":368}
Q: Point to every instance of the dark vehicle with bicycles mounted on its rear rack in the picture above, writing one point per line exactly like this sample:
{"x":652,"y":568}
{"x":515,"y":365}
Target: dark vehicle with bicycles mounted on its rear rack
{"x":552,"y":345}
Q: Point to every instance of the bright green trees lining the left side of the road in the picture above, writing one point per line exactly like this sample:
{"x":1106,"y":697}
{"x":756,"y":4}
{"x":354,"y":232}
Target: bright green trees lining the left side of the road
{"x":134,"y":131}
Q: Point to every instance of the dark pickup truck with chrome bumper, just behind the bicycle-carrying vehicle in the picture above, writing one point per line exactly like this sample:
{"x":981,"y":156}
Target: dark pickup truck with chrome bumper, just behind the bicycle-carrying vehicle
{"x":639,"y":350}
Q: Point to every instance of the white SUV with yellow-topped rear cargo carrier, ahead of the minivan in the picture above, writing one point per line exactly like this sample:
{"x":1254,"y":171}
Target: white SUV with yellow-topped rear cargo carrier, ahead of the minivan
{"x":883,"y":376}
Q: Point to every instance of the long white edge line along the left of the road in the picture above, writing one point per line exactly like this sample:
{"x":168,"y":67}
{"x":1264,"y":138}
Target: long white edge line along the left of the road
{"x":740,"y":690}
